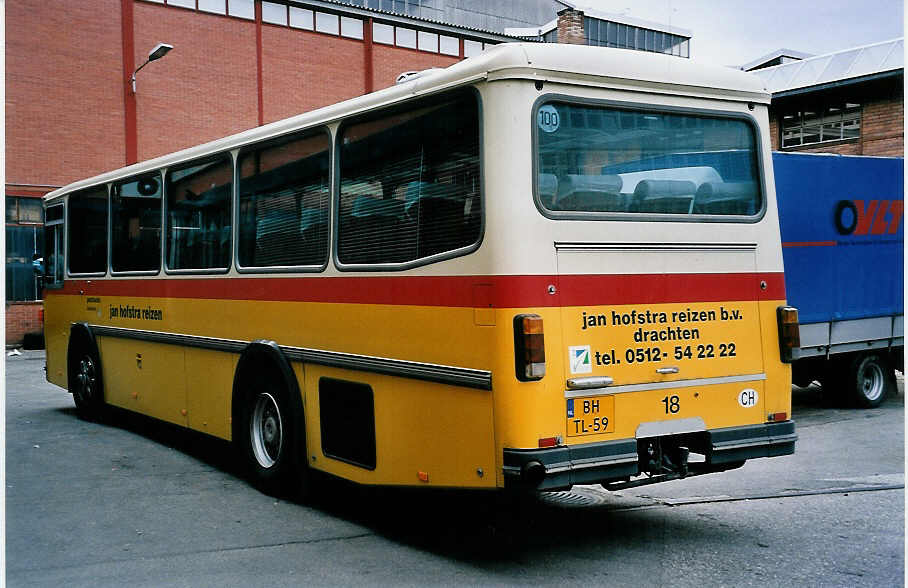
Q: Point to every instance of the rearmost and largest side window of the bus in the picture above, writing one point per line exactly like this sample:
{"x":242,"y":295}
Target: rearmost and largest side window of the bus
{"x":427,"y":161}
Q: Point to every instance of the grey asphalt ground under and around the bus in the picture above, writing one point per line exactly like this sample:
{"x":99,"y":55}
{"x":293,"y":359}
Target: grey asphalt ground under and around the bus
{"x":140,"y":503}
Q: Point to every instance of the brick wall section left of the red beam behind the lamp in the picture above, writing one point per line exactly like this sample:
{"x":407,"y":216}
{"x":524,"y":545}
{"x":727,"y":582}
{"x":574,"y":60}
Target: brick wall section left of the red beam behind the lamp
{"x":64,"y":98}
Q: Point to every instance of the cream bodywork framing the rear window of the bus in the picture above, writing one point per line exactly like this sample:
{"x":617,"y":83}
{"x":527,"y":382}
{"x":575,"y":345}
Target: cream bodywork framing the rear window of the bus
{"x":514,"y":216}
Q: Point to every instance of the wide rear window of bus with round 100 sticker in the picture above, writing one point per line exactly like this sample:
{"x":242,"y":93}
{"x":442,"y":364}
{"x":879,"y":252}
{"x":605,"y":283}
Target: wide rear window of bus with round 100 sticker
{"x":606,"y":160}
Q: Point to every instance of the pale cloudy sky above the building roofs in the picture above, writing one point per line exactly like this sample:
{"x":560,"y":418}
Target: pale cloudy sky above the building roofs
{"x":733,"y":32}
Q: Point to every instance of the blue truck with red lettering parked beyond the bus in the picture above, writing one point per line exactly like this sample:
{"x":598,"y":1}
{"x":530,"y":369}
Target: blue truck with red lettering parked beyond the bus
{"x":842,"y":229}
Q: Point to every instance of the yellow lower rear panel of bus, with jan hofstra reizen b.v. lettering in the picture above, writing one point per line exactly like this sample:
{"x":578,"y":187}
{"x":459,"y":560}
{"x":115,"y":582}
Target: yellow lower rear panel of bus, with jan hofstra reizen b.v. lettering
{"x":706,"y":388}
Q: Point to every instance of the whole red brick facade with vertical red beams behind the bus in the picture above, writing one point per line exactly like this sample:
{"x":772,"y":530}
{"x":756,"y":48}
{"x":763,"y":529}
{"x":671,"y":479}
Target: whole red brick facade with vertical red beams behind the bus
{"x":65,"y":87}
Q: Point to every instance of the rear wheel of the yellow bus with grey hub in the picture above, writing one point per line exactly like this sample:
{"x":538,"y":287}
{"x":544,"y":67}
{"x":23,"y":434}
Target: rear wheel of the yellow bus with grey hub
{"x":268,"y":435}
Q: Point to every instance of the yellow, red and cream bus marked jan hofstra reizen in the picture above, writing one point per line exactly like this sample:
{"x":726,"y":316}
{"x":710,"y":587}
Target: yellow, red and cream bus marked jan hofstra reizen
{"x":543,"y":266}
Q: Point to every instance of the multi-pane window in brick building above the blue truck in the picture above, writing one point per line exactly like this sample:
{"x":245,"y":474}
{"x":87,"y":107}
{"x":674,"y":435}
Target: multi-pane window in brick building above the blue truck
{"x":828,"y":122}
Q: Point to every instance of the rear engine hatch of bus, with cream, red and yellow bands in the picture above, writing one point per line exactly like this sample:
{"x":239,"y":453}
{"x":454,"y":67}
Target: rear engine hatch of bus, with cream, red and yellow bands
{"x":670,"y":345}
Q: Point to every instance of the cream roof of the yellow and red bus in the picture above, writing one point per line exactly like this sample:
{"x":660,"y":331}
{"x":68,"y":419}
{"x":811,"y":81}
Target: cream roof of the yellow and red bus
{"x":551,"y":62}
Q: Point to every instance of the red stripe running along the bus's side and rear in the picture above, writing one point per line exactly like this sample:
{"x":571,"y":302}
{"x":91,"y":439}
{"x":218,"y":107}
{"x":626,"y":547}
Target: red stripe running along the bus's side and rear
{"x":453,"y":291}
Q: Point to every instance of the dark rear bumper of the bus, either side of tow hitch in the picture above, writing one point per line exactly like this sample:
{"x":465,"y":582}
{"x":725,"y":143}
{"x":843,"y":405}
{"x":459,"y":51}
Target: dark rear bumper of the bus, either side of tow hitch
{"x":591,"y":463}
